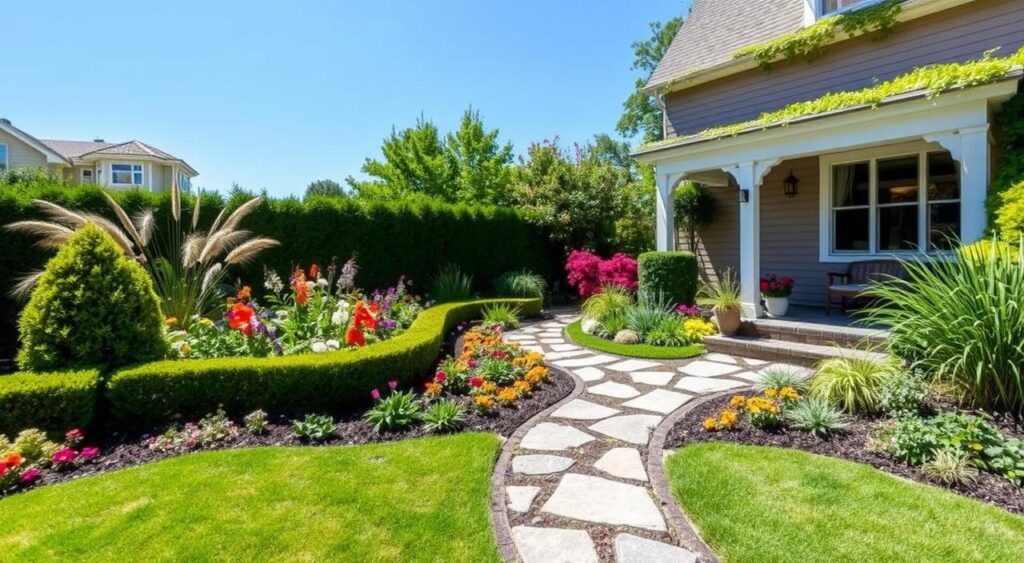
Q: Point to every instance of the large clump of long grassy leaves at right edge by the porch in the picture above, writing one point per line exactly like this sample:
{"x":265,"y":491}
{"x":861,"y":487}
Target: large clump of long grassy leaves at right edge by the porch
{"x":962,"y":322}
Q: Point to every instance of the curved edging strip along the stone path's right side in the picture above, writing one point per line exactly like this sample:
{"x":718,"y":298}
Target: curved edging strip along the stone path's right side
{"x":678,"y":521}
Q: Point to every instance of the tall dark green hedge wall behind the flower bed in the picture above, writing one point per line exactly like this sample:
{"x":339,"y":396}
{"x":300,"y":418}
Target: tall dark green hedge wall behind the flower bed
{"x":389,"y":238}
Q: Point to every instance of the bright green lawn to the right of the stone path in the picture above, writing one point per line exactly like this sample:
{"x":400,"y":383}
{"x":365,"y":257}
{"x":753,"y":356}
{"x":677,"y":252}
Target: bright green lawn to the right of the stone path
{"x":764,"y":504}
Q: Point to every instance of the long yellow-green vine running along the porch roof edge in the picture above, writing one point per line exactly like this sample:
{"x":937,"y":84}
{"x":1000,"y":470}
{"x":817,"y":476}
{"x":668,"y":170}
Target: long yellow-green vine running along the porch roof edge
{"x":933,"y":79}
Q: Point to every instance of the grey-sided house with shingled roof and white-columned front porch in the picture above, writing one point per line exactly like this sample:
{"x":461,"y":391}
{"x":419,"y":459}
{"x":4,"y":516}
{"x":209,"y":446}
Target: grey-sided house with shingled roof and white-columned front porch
{"x":873,"y":183}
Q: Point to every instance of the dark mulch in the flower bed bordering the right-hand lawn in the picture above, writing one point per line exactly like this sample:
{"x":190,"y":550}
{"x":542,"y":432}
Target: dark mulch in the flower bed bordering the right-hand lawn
{"x":852,"y":446}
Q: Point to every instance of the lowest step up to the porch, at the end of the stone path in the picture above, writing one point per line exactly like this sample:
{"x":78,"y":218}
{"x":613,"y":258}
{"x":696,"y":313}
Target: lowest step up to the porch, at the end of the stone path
{"x":780,"y":351}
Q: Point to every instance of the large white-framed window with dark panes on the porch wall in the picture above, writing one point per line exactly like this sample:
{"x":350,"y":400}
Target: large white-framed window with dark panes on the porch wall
{"x":894,"y":204}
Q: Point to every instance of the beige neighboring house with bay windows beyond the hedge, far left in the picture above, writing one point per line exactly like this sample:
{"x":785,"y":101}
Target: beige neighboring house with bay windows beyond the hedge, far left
{"x":117,"y":165}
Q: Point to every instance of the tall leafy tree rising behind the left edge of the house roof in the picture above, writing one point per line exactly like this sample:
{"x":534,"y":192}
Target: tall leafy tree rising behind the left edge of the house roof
{"x":642,"y":114}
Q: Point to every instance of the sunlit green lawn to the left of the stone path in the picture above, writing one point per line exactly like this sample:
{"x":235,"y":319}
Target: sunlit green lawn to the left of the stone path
{"x":423,"y":500}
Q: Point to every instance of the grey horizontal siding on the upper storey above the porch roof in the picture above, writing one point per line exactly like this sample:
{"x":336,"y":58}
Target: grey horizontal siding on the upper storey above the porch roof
{"x":955,"y":35}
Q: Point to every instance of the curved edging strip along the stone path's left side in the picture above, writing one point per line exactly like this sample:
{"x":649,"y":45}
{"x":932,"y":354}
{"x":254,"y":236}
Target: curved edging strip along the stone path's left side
{"x":499,"y":512}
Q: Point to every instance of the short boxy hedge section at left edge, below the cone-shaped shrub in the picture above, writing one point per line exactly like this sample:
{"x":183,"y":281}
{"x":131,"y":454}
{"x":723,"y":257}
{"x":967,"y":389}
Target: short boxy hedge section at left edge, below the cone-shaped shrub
{"x":54,"y":403}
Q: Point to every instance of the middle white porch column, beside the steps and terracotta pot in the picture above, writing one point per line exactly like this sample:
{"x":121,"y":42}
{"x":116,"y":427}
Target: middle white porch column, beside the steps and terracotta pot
{"x":749,"y":177}
